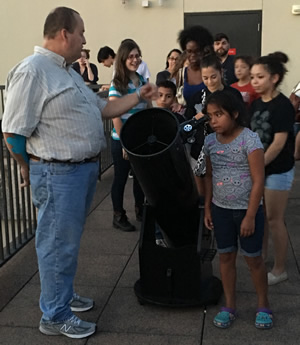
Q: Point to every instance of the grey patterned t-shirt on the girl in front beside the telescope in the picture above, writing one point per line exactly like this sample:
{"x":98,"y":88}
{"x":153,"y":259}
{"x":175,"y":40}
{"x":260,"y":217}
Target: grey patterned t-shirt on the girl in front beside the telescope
{"x":230,"y":169}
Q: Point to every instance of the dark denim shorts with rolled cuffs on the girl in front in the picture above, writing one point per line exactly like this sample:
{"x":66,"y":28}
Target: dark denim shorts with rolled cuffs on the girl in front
{"x":227,"y":224}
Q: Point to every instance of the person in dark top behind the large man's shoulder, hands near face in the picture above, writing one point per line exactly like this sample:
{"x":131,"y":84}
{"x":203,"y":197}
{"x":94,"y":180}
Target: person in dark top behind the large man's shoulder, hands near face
{"x":87,"y":70}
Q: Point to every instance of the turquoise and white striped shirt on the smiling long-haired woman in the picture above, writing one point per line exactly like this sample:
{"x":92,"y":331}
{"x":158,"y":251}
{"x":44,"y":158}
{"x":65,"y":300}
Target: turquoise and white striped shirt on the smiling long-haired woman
{"x":113,"y":92}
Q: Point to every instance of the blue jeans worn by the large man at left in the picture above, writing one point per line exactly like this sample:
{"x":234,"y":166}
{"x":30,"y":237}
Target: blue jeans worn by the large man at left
{"x":63,"y":194}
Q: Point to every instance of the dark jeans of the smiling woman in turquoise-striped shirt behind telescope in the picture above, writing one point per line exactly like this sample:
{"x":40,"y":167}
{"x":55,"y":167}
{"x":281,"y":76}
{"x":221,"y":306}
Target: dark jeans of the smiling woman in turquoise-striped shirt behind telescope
{"x":121,"y":170}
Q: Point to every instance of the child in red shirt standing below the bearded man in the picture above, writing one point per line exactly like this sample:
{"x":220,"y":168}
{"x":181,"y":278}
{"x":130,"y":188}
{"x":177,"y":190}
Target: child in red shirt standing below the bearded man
{"x":242,"y":67}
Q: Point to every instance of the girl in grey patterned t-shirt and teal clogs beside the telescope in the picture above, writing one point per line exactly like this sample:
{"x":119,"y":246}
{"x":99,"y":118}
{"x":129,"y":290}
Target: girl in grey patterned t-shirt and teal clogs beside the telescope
{"x":234,"y":184}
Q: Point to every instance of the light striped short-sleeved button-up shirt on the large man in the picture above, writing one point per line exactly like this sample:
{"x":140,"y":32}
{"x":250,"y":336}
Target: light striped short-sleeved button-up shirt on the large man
{"x":49,"y":103}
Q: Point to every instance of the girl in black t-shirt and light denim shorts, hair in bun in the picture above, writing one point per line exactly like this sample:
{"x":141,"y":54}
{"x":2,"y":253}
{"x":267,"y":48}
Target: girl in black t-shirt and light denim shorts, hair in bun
{"x":273,"y":118}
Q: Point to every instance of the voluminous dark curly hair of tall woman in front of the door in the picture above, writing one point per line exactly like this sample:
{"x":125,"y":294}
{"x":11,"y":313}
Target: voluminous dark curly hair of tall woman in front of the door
{"x":198,"y":34}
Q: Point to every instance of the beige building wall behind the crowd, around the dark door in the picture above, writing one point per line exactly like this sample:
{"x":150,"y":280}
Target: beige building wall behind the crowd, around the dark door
{"x":155,"y":29}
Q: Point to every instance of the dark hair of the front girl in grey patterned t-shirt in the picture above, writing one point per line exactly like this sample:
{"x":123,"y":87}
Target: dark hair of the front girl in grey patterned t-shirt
{"x":230,"y":103}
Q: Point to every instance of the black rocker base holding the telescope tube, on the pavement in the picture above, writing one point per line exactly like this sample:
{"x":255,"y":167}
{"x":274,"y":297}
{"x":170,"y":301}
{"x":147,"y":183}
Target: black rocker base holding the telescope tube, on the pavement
{"x":176,"y":276}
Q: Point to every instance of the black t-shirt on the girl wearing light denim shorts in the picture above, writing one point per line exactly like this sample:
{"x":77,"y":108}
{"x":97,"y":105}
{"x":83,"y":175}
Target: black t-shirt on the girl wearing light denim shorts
{"x":268,"y":118}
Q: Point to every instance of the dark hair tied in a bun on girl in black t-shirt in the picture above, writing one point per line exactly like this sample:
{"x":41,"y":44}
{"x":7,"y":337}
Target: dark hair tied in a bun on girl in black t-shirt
{"x":274,"y":64}
